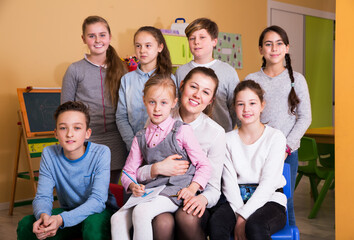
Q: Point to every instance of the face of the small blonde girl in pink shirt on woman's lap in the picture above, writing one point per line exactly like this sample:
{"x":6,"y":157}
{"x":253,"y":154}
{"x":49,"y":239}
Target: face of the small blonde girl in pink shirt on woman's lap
{"x":159,"y":101}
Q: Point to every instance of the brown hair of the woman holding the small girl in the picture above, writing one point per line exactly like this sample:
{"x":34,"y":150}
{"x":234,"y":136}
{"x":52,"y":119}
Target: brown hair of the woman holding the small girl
{"x":208,"y":72}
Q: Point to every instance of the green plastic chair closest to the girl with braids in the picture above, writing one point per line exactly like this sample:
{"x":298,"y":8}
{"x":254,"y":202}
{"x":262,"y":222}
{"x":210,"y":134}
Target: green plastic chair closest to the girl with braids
{"x":308,"y":153}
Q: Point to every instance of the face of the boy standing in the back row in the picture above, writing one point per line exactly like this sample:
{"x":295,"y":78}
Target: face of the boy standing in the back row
{"x":201,"y":45}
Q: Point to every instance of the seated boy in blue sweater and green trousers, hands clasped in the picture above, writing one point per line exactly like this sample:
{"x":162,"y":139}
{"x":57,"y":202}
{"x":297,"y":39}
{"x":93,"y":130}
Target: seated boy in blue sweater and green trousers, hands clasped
{"x":80,"y":172}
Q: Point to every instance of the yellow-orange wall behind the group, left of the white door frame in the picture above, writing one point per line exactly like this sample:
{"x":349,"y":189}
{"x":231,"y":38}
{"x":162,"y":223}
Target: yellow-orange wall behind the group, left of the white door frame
{"x":39,"y":39}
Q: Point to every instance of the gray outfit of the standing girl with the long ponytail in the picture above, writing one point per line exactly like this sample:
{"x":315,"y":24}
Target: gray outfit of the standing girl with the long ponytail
{"x":82,"y":82}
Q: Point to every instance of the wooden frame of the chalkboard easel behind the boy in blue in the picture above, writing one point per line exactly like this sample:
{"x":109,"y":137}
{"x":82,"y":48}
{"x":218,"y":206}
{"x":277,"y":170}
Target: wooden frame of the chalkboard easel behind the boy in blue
{"x":34,"y":144}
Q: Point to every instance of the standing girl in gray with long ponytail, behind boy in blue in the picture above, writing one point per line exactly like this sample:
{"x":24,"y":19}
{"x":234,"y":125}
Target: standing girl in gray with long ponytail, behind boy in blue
{"x":95,"y":81}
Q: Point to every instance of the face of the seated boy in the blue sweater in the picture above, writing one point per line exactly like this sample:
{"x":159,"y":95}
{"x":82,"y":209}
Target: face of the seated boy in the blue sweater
{"x":71,"y":132}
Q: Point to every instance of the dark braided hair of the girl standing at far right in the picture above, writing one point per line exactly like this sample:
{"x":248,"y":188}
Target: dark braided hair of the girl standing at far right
{"x":293,"y":99}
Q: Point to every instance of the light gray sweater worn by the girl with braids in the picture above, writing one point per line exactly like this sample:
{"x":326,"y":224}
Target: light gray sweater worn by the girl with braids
{"x":276,"y":112}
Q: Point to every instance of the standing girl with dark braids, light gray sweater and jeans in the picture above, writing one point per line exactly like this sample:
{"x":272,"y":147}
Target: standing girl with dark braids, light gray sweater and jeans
{"x":288,"y":105}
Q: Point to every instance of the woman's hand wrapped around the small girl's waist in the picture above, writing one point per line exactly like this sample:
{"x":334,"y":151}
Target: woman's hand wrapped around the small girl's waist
{"x":170,"y":167}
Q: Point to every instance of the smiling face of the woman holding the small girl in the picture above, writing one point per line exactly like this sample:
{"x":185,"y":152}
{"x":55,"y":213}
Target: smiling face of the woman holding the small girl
{"x":196,"y":94}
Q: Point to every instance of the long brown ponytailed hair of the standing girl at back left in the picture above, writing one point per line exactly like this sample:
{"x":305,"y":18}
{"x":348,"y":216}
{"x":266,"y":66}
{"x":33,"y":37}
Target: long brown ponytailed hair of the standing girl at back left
{"x":116,"y":68}
